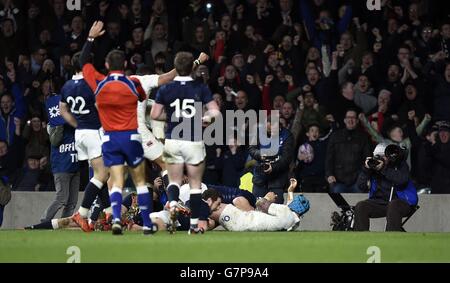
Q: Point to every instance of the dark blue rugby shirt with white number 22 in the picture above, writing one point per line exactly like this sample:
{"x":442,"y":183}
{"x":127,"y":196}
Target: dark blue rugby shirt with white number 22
{"x":81,"y":100}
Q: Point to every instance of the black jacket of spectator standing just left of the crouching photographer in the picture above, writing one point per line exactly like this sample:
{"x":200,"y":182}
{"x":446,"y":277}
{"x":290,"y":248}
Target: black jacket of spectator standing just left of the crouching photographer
{"x":346,"y":153}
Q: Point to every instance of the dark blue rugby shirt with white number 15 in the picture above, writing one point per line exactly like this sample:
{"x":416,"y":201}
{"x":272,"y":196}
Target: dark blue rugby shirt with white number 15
{"x":183,"y":101}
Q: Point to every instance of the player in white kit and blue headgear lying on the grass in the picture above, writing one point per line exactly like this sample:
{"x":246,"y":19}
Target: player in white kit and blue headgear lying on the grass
{"x":269,"y":216}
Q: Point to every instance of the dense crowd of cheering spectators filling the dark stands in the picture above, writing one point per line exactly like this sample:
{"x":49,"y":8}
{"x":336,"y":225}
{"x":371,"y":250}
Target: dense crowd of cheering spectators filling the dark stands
{"x":343,"y":78}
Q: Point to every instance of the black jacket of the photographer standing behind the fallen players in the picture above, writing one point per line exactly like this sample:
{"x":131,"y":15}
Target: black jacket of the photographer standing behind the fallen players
{"x":279,"y":177}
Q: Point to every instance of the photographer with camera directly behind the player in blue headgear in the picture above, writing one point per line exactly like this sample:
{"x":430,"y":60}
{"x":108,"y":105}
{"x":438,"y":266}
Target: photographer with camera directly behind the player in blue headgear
{"x":271,"y":172}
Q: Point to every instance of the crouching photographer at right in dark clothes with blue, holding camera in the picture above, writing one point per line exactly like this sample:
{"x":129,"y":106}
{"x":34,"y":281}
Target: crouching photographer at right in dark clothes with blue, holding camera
{"x":386,"y":171}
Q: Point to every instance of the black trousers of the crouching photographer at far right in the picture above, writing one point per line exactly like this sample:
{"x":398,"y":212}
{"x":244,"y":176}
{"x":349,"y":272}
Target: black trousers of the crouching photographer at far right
{"x":394,"y":212}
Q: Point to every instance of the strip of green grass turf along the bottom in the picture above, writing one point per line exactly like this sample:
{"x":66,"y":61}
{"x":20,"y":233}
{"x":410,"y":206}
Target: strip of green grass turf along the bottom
{"x":222,"y":246}
